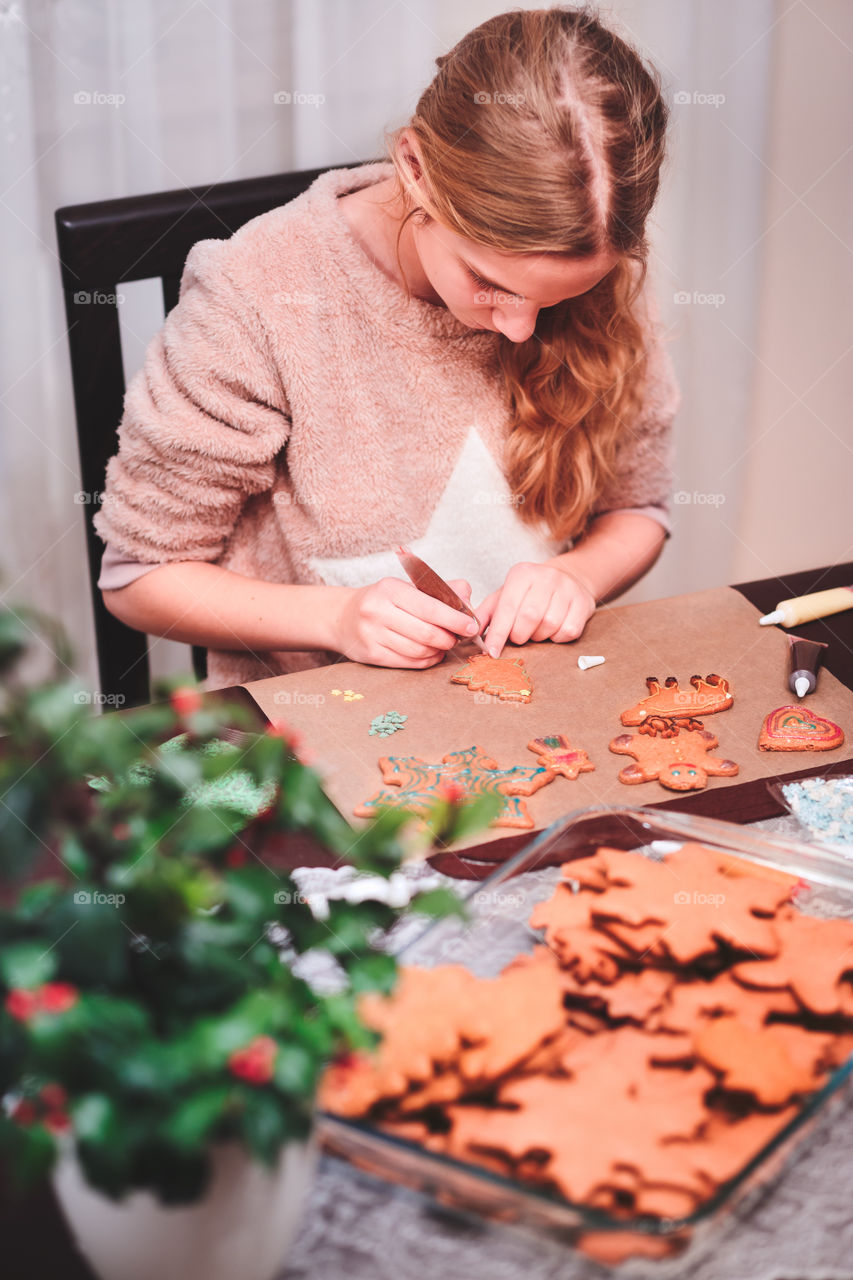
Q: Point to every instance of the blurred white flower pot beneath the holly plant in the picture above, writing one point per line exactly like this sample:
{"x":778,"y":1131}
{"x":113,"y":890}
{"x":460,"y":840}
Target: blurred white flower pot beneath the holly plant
{"x":239,"y":1232}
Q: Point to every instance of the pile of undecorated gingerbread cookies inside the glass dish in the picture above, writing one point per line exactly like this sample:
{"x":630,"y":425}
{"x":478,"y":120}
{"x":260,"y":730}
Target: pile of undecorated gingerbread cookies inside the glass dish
{"x":630,"y":1081}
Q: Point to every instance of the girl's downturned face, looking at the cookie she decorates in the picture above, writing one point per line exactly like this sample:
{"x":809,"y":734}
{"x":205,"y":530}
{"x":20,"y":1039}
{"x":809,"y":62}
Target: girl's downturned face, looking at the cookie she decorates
{"x":491,"y":290}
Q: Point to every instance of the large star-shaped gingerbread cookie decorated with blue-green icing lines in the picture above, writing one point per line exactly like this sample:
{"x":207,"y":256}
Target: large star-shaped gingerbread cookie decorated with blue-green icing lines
{"x":418,"y":784}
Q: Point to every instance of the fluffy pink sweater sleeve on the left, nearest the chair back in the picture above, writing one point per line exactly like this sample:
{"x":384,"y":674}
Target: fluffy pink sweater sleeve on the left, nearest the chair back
{"x":204,"y":422}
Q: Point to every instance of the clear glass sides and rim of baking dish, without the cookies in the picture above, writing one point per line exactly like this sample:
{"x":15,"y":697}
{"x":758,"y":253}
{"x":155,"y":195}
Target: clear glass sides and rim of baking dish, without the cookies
{"x":496,"y":932}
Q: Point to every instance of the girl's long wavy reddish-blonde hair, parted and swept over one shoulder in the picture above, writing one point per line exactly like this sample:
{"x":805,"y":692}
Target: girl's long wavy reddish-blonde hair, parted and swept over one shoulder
{"x":544,"y":132}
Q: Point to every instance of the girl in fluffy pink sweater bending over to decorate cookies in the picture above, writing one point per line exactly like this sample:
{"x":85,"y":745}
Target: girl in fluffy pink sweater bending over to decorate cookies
{"x":451,"y":349}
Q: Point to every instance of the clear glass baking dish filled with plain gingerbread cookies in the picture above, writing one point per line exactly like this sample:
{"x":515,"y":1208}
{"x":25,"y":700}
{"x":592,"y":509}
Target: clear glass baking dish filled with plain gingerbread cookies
{"x":641,"y":1022}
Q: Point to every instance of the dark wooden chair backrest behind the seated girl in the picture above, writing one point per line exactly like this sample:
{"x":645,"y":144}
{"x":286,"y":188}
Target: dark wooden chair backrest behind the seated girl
{"x":103,"y":245}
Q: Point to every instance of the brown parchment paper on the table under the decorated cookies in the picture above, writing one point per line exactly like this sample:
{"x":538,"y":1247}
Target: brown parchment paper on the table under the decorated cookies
{"x":697,"y":634}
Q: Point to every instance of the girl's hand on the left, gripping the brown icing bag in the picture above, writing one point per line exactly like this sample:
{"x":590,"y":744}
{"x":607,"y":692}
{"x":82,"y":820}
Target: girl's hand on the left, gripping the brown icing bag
{"x":391,"y":624}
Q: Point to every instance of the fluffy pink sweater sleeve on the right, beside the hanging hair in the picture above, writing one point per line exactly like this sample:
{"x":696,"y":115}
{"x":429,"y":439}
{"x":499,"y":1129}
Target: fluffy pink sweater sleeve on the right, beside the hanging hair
{"x":644,"y":476}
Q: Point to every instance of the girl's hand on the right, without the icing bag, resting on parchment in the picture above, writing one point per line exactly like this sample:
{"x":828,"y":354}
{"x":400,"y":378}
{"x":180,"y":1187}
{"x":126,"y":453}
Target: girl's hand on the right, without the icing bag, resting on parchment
{"x":537,"y":602}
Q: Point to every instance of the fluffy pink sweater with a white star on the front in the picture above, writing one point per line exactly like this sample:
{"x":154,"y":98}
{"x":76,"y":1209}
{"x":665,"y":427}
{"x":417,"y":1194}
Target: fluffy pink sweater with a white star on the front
{"x":298,"y":418}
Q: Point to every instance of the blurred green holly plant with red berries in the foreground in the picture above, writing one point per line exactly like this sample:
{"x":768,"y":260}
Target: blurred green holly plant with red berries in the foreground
{"x":152,"y":939}
